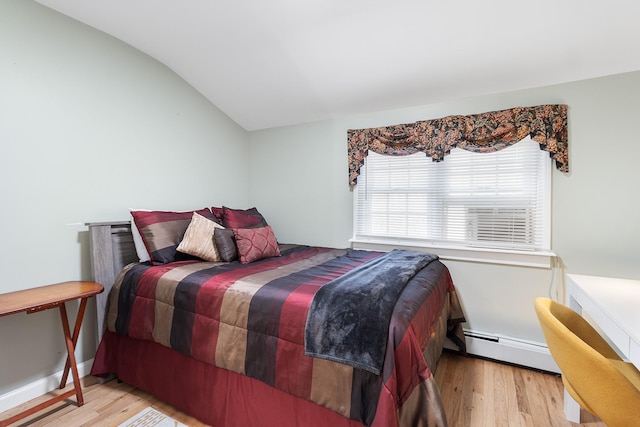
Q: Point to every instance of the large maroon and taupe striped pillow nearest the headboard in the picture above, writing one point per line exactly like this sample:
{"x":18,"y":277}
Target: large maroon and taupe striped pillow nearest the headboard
{"x":162,"y":232}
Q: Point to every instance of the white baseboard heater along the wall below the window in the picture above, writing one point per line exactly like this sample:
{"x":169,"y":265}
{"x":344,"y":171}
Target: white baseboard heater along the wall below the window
{"x":511,"y":350}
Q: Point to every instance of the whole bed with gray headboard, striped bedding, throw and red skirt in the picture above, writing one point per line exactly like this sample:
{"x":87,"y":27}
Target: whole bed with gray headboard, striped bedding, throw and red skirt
{"x":305,"y":336}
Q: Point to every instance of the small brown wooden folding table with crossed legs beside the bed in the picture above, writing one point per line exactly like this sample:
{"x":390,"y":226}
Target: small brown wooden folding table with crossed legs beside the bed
{"x":44,"y":298}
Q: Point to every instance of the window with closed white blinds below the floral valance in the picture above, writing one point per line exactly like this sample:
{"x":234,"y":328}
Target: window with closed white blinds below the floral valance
{"x":494,"y":200}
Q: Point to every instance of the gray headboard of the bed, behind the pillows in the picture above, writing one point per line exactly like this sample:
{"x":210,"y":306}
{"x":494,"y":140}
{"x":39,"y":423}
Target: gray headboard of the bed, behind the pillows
{"x":112,"y":248}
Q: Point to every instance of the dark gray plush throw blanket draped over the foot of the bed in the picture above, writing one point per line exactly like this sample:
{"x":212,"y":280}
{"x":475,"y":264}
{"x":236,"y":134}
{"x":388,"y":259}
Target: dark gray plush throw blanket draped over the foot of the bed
{"x":348,"y":321}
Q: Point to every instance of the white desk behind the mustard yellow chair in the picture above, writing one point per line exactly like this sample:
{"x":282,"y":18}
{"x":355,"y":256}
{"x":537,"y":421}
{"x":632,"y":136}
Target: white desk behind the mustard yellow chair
{"x":614,"y":306}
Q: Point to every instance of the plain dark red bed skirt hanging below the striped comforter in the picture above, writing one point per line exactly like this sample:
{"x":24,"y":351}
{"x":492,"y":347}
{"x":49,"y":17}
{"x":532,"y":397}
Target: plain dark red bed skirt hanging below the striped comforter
{"x":219,"y":397}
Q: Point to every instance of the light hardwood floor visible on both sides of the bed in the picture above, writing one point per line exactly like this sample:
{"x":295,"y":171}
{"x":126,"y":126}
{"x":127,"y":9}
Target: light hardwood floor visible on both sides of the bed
{"x":475,"y":392}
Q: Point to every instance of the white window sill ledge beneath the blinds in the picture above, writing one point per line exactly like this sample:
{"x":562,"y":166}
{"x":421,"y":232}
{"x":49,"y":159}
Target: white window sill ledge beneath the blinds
{"x":536,"y":259}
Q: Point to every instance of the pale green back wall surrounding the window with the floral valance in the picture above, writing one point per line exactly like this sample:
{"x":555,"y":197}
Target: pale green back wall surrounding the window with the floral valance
{"x":299,"y":178}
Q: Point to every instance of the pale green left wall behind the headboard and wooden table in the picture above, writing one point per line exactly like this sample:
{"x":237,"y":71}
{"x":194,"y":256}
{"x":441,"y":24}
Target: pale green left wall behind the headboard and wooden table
{"x":90,"y":127}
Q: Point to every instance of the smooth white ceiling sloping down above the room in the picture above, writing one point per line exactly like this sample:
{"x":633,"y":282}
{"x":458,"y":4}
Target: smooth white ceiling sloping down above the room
{"x":269,"y":63}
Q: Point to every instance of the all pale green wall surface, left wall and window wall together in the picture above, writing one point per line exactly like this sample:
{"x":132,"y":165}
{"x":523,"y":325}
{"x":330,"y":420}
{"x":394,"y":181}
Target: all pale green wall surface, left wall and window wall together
{"x":90,"y":127}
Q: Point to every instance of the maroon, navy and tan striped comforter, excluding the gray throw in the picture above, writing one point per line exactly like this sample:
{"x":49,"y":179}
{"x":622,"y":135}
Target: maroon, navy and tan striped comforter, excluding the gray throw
{"x":250,"y":319}
